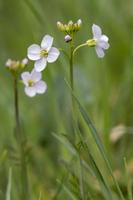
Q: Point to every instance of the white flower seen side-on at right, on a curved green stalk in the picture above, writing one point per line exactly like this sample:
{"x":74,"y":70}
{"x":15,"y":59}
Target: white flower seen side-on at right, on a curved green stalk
{"x":99,"y":41}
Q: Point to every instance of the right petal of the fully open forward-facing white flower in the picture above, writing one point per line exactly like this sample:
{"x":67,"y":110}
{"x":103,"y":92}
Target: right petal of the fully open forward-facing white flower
{"x":53,"y":55}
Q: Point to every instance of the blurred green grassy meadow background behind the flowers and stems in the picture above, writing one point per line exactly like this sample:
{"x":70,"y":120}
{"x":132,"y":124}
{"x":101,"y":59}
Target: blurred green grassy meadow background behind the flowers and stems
{"x":104,"y":87}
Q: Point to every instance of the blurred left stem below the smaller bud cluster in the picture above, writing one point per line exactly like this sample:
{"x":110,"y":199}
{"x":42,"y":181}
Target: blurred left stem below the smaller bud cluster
{"x":21,"y":141}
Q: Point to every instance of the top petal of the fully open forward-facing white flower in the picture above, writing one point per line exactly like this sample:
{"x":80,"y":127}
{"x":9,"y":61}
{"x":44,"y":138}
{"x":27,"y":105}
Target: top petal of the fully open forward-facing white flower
{"x":47,"y":42}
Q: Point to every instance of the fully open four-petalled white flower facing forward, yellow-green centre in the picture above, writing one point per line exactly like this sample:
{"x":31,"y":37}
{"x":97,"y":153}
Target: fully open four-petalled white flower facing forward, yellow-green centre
{"x":43,"y":54}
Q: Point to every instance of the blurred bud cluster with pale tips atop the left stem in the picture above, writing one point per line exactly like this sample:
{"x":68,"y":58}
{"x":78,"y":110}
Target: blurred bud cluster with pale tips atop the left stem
{"x":15,"y":65}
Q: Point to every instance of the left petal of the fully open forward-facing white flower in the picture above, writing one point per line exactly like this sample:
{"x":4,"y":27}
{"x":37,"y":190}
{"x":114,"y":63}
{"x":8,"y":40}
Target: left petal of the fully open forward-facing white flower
{"x":34,"y":52}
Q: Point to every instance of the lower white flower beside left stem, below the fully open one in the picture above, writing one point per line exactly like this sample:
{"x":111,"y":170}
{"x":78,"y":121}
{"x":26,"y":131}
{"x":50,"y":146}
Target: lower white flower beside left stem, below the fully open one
{"x":33,"y":83}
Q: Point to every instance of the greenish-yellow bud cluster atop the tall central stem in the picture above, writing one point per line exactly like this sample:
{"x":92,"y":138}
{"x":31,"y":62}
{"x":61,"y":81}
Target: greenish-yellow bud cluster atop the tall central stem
{"x":70,"y":27}
